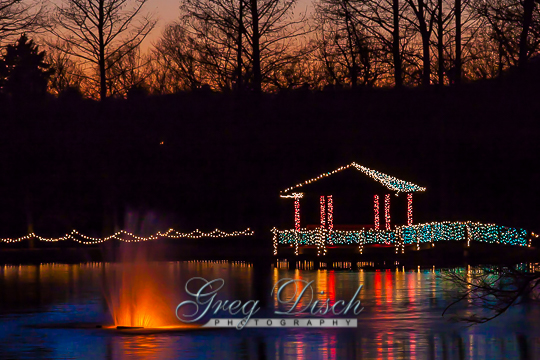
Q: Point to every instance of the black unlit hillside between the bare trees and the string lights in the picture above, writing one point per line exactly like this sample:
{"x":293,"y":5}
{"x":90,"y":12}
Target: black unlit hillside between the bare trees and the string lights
{"x":211,"y":160}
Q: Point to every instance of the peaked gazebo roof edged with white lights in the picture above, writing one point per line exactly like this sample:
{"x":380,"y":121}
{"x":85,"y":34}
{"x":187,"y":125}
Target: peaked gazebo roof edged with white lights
{"x":390,"y":182}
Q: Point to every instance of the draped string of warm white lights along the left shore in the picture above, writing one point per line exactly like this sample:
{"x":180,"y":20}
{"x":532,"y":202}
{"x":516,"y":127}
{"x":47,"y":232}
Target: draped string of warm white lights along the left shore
{"x":126,"y":236}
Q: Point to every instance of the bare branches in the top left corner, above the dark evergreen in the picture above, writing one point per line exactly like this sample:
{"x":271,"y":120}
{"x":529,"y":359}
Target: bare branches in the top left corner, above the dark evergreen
{"x":17,"y":17}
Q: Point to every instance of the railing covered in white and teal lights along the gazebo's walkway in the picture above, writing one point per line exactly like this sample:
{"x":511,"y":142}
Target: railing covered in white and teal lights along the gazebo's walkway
{"x":403,"y":235}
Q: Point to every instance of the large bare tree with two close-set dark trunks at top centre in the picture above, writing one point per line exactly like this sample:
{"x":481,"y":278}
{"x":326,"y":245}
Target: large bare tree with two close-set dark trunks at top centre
{"x":242,"y":43}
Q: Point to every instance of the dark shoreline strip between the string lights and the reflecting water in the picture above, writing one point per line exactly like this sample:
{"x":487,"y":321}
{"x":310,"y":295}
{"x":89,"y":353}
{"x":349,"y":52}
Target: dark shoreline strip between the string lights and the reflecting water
{"x":442,"y":255}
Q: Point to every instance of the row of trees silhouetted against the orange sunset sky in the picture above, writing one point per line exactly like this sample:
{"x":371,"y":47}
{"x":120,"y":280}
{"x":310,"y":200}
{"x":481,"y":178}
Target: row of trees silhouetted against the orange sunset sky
{"x":93,"y":47}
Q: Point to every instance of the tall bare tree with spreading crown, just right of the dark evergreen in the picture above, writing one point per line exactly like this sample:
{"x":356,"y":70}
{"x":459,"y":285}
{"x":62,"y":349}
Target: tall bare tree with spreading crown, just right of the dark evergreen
{"x":101,"y":32}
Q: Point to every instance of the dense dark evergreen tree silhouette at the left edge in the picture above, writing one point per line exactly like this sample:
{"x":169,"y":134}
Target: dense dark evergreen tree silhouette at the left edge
{"x":23,"y":70}
